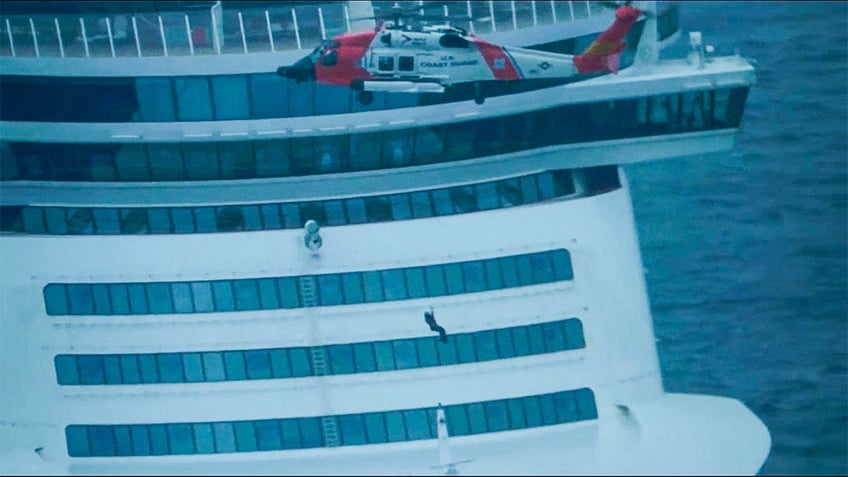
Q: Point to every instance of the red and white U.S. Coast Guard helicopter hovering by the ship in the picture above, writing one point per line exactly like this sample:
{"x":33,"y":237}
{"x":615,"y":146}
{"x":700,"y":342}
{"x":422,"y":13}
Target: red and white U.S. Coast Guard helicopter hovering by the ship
{"x":404,"y":54}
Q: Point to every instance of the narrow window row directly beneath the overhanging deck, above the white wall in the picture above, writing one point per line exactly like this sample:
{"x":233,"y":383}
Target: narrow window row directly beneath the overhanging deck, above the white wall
{"x":293,"y":215}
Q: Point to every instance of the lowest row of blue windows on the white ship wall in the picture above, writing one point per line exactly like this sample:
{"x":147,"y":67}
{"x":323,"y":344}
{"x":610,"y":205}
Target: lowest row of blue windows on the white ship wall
{"x":309,"y":432}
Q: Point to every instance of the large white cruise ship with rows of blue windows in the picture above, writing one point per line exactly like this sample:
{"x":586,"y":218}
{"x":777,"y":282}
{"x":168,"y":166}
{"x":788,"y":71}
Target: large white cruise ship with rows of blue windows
{"x":208,"y":268}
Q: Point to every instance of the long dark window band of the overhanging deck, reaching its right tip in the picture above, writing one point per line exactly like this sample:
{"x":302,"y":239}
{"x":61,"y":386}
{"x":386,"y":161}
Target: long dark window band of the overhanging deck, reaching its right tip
{"x":607,"y":120}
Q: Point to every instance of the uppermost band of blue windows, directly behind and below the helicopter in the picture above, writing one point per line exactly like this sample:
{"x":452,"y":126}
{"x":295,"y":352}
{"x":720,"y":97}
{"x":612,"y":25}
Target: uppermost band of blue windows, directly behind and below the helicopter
{"x":206,"y":98}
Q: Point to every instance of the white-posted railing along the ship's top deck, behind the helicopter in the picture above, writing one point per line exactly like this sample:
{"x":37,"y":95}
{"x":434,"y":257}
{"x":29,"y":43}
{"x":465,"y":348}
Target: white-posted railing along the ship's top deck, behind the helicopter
{"x":220,"y":30}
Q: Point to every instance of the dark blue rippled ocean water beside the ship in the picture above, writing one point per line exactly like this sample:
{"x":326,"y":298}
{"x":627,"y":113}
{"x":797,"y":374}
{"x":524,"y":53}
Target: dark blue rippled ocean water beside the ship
{"x":747,"y":253}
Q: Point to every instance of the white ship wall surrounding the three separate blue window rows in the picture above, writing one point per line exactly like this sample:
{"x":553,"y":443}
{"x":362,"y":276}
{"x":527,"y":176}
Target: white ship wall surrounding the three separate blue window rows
{"x":608,"y":295}
